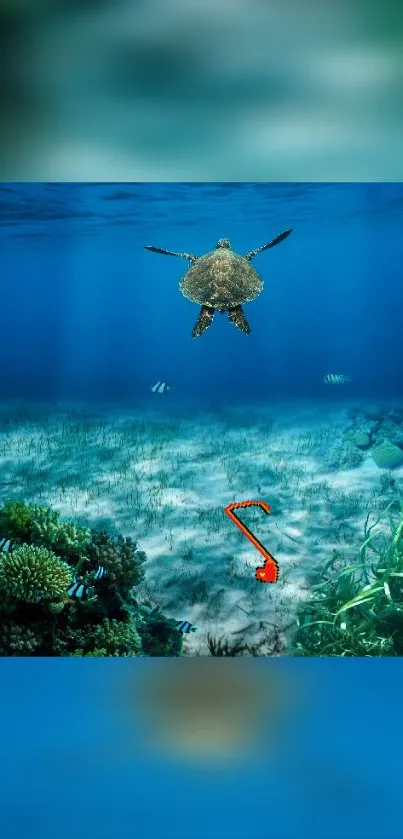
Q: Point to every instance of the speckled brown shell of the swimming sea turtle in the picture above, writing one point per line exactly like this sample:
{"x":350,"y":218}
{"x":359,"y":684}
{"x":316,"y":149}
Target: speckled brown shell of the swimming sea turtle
{"x":221,"y":279}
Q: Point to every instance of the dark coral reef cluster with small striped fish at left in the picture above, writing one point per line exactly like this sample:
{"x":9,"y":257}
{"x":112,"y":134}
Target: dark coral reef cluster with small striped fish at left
{"x":66,"y":590}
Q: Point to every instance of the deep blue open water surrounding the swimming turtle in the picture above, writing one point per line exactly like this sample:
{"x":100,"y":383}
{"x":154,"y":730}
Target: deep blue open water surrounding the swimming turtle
{"x":88,"y":313}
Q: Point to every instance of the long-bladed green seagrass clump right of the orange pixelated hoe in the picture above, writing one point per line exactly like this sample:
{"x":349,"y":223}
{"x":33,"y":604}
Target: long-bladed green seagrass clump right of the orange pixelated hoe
{"x":358,"y":609}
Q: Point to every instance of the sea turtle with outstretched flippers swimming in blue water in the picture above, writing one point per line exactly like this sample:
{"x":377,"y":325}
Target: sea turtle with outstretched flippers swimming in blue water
{"x":221,"y":280}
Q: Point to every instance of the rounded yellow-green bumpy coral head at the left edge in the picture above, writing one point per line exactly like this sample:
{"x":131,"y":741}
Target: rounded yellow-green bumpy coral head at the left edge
{"x":31,"y":574}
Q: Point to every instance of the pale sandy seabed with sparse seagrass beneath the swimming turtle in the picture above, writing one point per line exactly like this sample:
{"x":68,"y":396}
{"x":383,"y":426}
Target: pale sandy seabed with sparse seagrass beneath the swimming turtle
{"x":163,"y":472}
